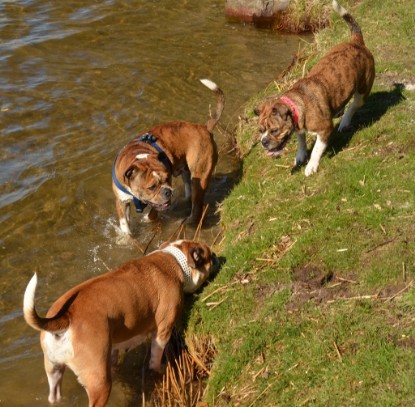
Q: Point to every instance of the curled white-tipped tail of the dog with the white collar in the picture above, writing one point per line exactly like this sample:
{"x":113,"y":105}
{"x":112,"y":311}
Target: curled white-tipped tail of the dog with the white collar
{"x":57,"y":324}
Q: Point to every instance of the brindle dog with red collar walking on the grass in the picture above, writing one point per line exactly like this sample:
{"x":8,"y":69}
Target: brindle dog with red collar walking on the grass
{"x":346,"y":70}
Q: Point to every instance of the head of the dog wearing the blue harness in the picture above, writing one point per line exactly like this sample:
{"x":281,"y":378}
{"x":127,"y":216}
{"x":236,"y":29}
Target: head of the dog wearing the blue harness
{"x":150,"y":181}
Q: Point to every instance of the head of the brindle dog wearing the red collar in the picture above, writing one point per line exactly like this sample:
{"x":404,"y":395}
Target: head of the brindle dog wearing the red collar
{"x":276,"y":125}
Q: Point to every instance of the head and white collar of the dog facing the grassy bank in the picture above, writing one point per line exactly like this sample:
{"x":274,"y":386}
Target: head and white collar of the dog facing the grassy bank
{"x":201,"y":261}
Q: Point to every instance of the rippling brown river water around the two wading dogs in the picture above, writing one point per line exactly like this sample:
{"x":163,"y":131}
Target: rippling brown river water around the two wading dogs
{"x":78,"y":80}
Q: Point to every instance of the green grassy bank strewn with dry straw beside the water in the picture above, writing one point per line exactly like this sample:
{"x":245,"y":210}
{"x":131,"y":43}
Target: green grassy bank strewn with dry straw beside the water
{"x":315,"y":304}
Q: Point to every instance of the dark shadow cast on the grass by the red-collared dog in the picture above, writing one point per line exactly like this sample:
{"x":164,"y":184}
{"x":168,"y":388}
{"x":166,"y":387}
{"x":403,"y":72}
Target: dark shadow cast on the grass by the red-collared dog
{"x":376,"y":106}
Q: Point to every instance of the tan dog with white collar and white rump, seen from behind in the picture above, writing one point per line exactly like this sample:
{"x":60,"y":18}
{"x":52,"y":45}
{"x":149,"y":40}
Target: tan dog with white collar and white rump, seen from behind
{"x":86,"y":327}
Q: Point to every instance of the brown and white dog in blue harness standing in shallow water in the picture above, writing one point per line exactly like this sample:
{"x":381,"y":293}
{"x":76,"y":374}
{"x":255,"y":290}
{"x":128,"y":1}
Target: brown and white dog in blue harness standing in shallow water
{"x":142,"y":171}
